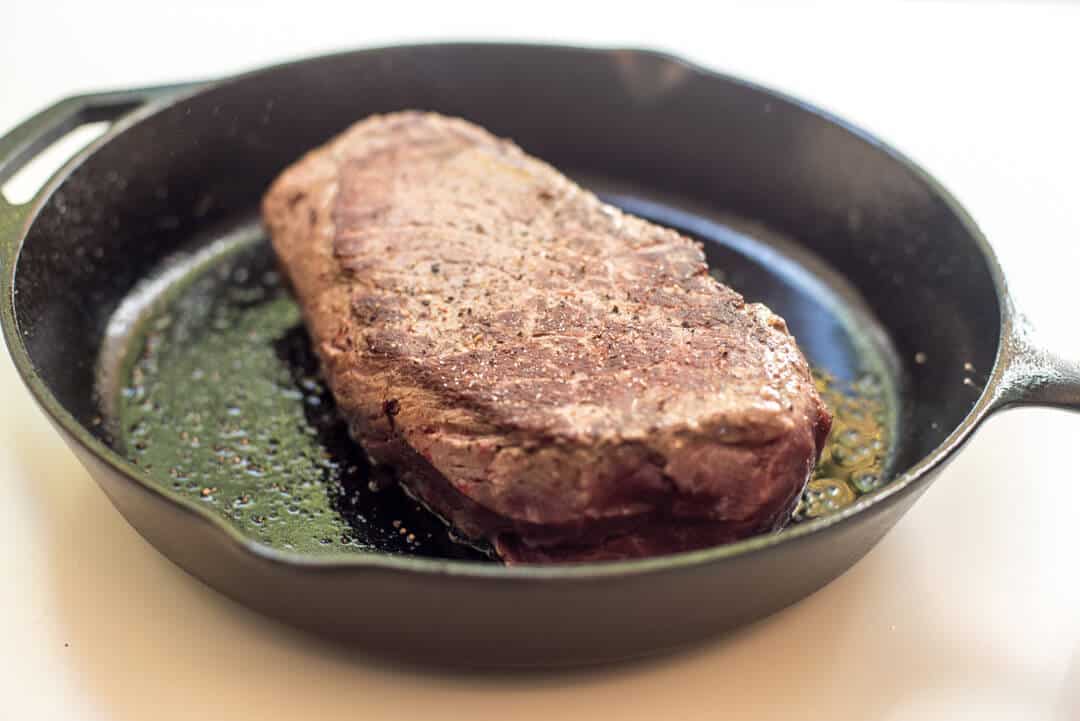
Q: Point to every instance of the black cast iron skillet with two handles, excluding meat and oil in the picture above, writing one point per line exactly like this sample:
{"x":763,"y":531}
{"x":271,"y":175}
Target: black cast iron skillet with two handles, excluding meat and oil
{"x":885,"y":255}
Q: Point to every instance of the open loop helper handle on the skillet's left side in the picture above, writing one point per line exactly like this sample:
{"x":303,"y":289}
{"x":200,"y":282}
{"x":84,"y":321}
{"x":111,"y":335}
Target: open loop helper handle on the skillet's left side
{"x":23,"y":143}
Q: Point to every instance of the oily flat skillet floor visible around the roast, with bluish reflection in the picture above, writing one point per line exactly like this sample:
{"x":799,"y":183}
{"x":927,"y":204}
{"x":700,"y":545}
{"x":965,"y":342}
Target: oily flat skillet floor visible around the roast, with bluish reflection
{"x":208,"y":383}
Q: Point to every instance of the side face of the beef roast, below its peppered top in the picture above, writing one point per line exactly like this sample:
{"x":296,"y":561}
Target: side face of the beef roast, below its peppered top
{"x":646,"y":492}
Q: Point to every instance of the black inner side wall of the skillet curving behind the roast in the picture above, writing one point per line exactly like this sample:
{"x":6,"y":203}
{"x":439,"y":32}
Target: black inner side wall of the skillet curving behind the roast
{"x":875,"y":242}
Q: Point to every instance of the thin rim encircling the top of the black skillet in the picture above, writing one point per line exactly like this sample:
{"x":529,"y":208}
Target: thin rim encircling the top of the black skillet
{"x":908,"y":482}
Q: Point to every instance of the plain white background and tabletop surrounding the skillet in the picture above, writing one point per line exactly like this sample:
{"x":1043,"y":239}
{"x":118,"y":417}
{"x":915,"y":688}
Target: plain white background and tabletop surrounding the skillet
{"x":969,"y":610}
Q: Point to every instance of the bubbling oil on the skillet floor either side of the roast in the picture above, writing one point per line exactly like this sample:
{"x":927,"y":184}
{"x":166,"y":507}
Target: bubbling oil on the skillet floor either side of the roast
{"x":221,"y":402}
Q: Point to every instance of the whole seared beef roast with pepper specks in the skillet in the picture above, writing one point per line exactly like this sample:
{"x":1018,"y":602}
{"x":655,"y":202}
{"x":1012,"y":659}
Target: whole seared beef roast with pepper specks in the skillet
{"x":542,"y":370}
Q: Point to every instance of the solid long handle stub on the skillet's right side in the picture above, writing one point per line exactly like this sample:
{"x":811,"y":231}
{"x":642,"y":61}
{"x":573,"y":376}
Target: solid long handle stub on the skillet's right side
{"x":1031,"y":375}
